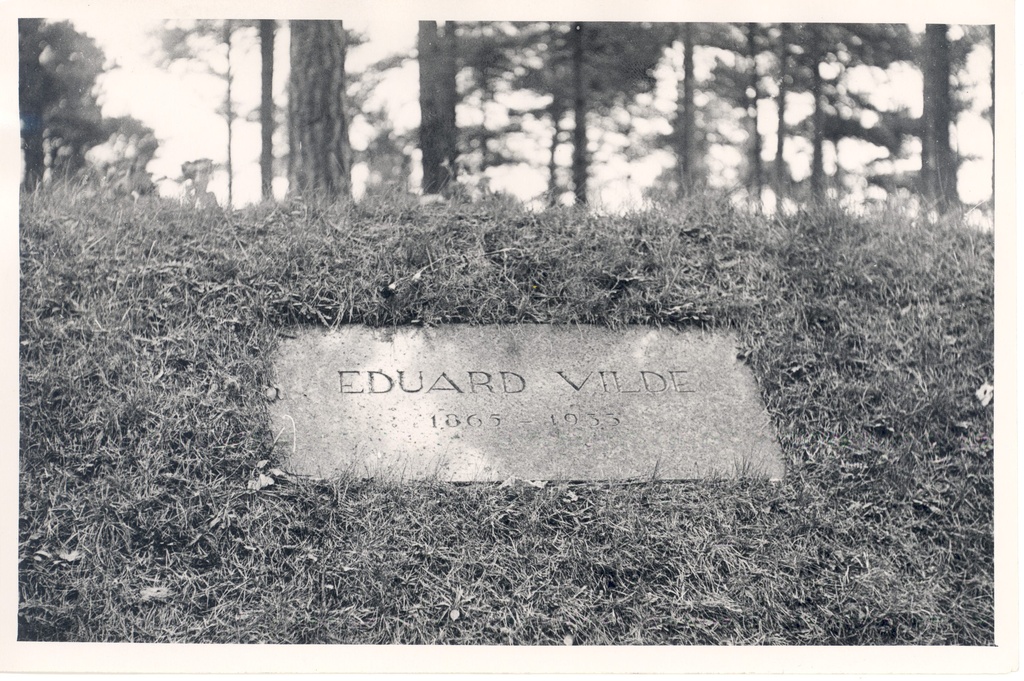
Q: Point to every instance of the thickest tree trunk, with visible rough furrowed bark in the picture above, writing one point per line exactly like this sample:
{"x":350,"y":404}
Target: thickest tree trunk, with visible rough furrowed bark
{"x":320,"y":157}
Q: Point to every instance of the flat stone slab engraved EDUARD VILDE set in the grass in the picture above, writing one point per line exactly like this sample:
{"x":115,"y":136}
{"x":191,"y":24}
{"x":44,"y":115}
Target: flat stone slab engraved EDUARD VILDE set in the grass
{"x":536,"y":402}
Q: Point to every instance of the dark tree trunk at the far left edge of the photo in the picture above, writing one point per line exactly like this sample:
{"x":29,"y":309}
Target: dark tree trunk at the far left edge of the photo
{"x":31,"y":84}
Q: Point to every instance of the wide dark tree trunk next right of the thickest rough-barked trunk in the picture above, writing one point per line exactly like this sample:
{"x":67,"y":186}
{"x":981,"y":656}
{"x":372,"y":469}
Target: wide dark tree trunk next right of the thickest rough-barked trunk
{"x":438,"y":102}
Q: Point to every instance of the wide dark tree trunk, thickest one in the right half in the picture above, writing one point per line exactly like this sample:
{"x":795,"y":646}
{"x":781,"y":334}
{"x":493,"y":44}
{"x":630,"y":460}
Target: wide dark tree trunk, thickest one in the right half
{"x":938,"y":161}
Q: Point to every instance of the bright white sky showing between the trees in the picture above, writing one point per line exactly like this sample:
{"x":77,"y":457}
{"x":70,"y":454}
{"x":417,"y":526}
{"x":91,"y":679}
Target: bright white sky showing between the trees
{"x":180,"y":103}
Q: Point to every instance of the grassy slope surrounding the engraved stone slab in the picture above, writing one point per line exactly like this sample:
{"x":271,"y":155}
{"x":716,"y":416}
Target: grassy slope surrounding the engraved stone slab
{"x":147,"y":332}
